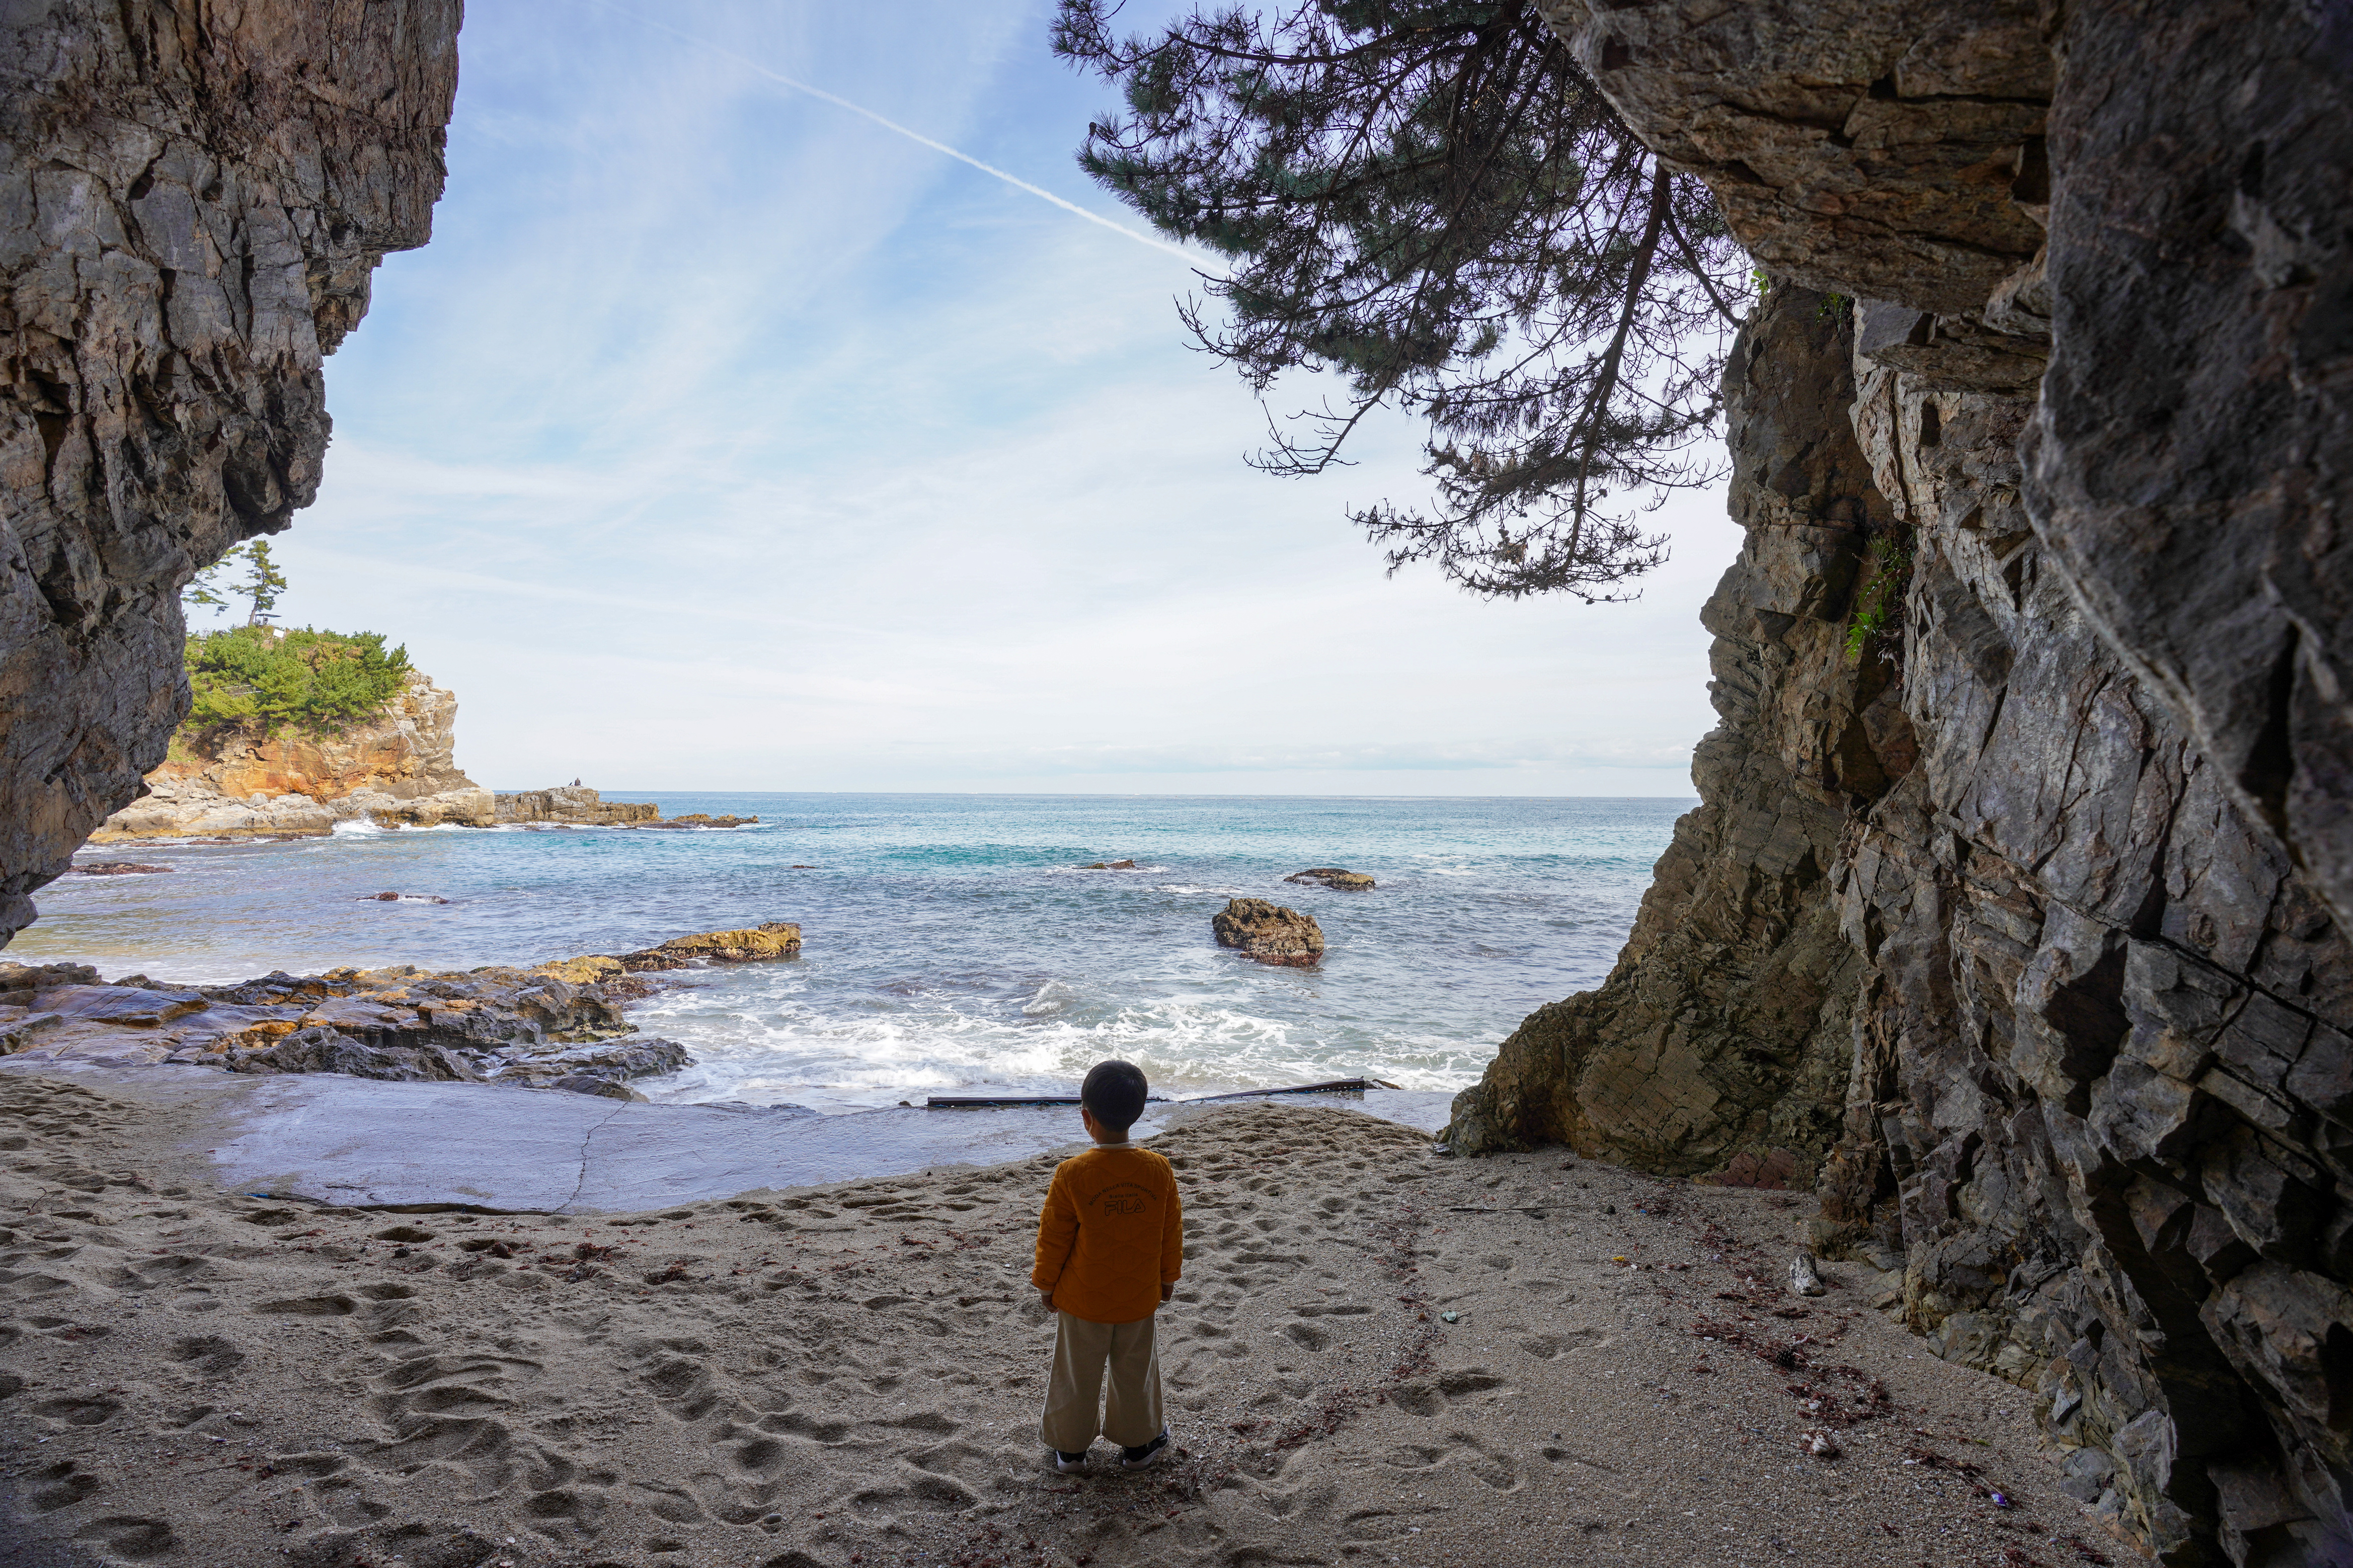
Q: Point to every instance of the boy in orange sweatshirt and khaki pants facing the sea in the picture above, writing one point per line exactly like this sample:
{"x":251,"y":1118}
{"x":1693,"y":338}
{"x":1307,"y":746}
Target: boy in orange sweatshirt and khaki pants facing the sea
{"x":1109,"y":1252}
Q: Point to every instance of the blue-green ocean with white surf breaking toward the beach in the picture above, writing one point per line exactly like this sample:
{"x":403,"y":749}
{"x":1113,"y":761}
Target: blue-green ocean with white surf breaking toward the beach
{"x":952,"y":944}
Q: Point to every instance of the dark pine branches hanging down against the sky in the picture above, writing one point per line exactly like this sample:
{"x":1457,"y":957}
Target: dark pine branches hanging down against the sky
{"x":1432,"y":201}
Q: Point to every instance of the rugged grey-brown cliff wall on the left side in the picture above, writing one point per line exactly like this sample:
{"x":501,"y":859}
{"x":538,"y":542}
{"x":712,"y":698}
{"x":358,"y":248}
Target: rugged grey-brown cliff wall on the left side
{"x":194,"y":199}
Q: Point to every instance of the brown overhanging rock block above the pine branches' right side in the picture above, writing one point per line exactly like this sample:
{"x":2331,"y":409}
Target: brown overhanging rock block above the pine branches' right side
{"x":1844,"y":140}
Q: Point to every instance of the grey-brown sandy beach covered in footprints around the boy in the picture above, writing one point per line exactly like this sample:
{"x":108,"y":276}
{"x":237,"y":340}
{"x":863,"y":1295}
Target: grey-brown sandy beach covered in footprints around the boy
{"x":1378,"y":1355}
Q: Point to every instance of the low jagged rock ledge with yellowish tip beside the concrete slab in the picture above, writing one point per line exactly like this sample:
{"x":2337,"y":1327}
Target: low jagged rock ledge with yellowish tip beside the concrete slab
{"x":549,"y":1026}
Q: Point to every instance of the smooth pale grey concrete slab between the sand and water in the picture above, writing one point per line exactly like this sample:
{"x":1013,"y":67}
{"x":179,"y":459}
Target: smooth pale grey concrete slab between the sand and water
{"x":394,"y":1146}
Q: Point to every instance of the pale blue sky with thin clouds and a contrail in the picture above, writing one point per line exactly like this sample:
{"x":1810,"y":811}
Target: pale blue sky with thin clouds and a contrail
{"x":726,"y":438}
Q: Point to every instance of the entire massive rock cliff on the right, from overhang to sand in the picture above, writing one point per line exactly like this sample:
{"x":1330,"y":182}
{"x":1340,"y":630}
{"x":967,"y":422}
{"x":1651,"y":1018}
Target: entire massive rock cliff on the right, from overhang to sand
{"x":2020,"y":913}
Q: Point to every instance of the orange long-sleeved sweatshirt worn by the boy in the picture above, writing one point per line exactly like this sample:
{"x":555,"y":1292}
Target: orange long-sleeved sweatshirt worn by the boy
{"x":1112,"y":1235}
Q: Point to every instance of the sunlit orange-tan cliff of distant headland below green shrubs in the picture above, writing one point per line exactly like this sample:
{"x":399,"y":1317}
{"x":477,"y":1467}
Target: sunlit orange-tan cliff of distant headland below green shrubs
{"x":394,"y":770}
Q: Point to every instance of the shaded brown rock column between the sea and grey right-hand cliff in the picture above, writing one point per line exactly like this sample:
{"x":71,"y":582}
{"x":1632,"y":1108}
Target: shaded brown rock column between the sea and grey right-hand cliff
{"x":1726,"y":1028}
